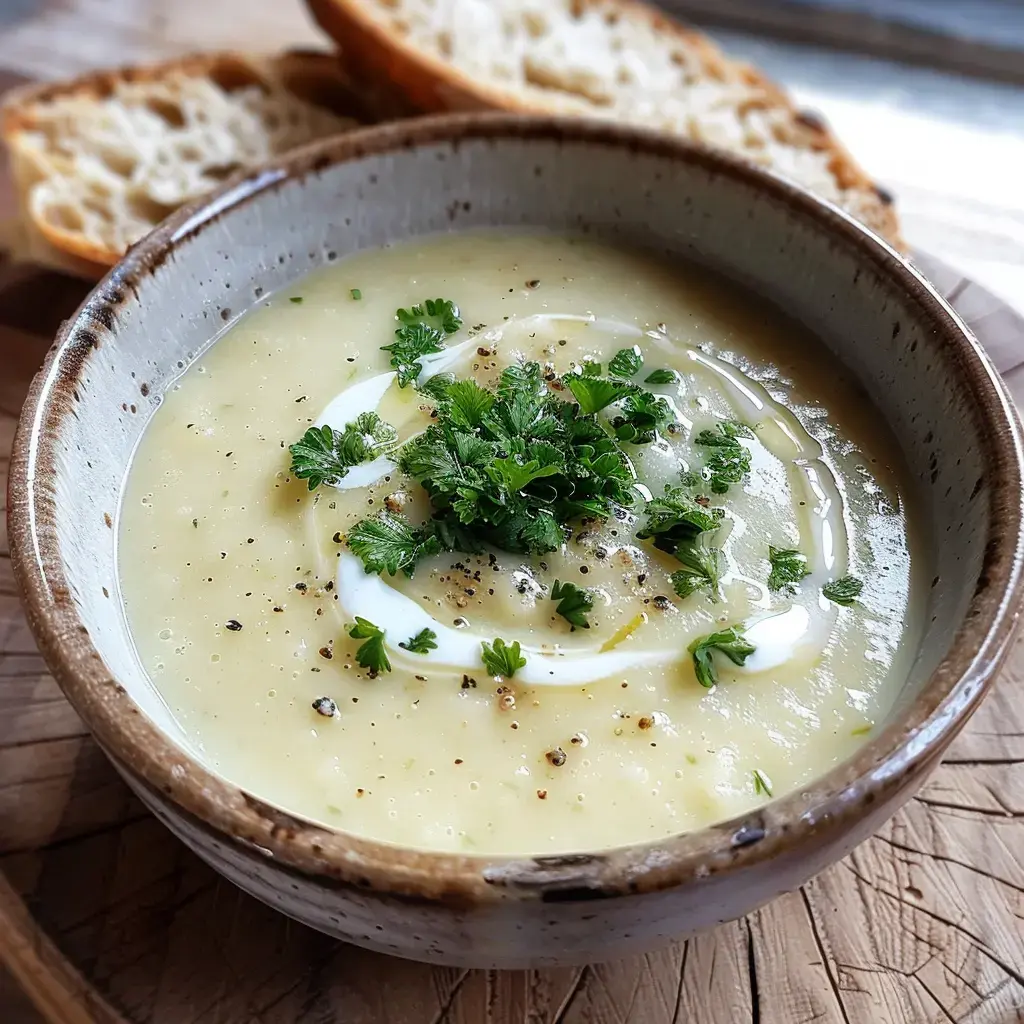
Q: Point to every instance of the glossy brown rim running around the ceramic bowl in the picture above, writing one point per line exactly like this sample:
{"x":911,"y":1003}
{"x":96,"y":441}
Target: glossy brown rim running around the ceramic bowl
{"x":831,"y":805}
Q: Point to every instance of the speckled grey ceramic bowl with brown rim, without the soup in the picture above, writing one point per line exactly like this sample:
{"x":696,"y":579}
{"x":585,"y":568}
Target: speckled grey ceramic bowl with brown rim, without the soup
{"x":165,"y":304}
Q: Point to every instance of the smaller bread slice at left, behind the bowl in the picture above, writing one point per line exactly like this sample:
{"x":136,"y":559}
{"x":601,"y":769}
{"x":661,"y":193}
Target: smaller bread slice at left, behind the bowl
{"x":98,"y":162}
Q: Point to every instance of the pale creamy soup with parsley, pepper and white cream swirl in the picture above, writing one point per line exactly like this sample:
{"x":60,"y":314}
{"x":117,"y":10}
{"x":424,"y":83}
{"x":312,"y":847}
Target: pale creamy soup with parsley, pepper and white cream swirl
{"x":628,"y":554}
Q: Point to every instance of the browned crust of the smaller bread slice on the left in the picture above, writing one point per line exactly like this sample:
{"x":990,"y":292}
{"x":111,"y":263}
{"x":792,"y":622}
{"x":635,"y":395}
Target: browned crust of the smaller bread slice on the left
{"x":314,"y":77}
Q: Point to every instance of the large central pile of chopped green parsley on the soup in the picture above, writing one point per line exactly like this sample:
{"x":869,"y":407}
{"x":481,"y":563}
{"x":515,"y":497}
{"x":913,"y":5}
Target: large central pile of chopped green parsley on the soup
{"x":508,"y":468}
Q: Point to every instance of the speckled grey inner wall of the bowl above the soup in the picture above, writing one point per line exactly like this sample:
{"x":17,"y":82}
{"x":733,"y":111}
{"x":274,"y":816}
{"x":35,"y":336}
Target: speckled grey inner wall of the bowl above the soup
{"x":175,"y":295}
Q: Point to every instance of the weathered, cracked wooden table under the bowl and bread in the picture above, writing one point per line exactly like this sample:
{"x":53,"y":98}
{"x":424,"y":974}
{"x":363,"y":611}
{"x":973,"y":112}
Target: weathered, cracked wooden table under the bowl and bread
{"x":106,"y":918}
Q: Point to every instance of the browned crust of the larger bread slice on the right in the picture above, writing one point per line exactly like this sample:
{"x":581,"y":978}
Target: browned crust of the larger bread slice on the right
{"x":403,"y":78}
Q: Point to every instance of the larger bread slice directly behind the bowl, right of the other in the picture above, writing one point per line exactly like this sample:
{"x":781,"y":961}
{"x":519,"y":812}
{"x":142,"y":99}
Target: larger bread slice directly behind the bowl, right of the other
{"x":619,"y":60}
